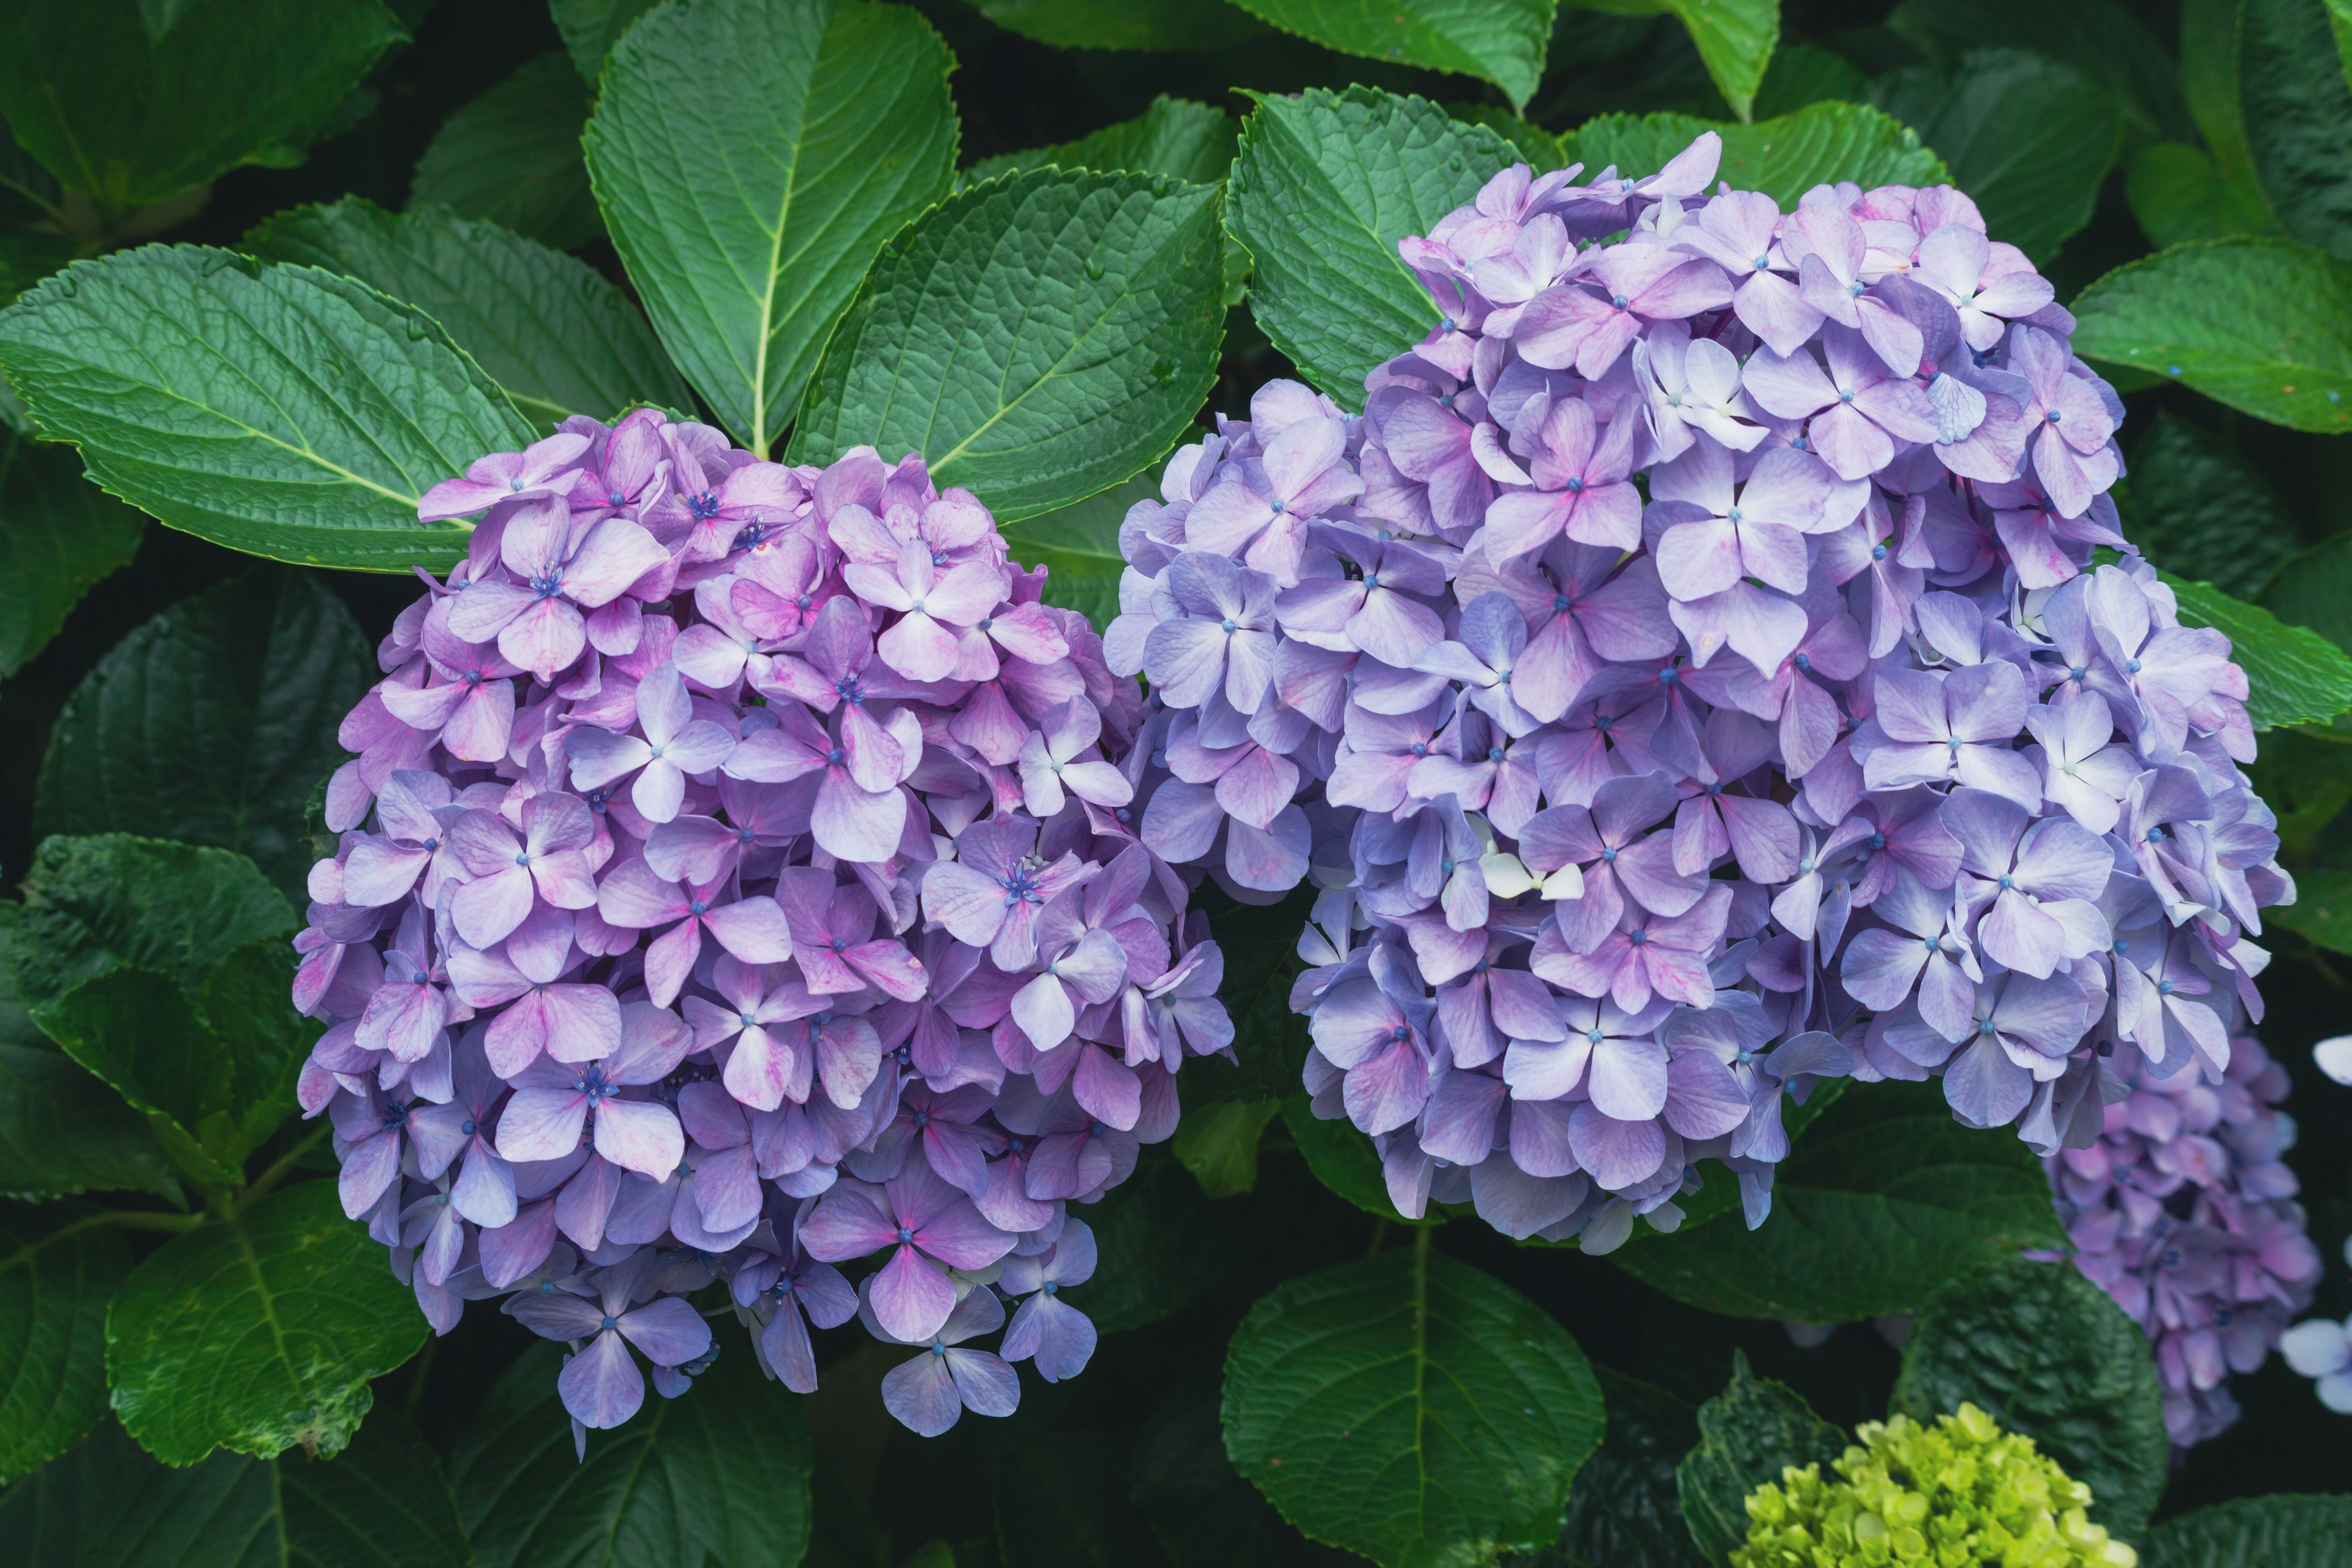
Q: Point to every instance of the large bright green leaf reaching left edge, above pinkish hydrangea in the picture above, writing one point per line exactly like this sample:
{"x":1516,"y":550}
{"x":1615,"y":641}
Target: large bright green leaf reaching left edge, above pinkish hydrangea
{"x":267,"y":408}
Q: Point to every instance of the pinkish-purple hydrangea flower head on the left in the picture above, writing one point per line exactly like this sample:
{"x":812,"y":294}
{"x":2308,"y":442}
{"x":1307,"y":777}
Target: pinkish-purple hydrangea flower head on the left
{"x":735,"y":883}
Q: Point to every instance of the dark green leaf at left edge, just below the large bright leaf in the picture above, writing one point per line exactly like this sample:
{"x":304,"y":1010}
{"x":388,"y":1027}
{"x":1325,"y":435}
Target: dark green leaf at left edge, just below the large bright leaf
{"x":60,"y":535}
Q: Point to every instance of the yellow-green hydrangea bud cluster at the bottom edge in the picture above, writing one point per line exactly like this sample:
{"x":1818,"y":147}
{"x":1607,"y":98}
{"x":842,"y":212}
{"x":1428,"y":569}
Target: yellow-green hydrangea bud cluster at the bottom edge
{"x":1944,"y":1496}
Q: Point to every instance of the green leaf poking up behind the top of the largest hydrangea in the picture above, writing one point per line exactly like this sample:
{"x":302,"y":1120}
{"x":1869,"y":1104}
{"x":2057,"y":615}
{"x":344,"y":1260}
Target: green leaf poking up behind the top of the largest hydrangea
{"x":1784,"y":159}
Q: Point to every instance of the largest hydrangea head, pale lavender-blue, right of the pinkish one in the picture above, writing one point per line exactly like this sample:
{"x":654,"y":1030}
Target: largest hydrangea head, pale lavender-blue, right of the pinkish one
{"x":1636,"y":810}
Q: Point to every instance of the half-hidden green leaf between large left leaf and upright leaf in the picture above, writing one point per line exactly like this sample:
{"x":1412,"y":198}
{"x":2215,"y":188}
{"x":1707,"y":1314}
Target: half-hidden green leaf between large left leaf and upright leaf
{"x":544,"y":326}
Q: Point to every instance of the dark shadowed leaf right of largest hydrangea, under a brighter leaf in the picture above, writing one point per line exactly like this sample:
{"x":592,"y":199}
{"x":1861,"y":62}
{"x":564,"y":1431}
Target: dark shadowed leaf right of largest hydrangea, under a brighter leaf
{"x":2196,"y":507}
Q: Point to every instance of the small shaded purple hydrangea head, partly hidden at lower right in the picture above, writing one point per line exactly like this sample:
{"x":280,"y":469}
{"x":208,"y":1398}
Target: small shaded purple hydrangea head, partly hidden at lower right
{"x":2186,"y":1214}
